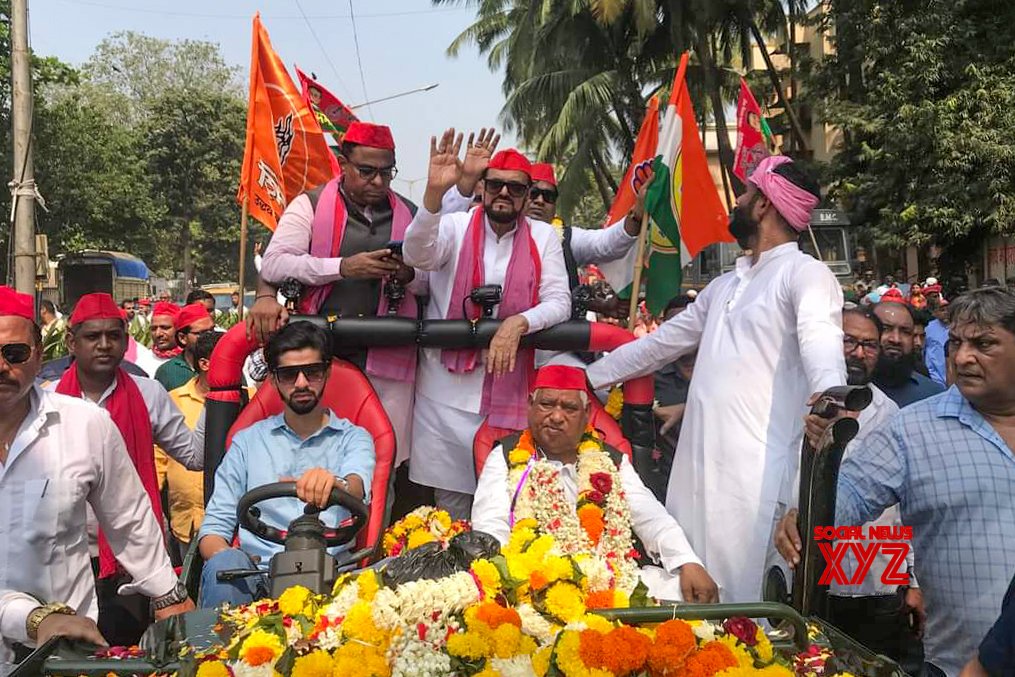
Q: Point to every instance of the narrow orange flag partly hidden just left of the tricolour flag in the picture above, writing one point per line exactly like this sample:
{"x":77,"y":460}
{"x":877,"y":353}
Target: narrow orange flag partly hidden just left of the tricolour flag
{"x":621,"y":274}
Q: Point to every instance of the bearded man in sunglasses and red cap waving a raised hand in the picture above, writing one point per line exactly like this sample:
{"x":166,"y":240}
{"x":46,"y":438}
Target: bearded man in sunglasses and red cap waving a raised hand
{"x":495,"y":245}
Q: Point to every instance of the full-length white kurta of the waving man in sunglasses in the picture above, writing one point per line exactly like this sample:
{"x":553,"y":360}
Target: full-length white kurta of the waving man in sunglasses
{"x":451,"y":402}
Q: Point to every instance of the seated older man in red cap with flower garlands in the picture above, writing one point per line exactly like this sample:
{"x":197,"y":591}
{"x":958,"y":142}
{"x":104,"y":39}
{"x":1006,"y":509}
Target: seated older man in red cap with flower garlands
{"x":584,"y":494}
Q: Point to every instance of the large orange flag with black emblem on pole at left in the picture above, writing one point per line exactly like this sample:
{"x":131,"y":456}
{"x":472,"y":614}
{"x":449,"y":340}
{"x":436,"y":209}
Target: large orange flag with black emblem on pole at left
{"x":286,"y":153}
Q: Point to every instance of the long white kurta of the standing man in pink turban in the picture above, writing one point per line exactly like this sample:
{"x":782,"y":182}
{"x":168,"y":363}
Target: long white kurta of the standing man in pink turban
{"x":769,"y":335}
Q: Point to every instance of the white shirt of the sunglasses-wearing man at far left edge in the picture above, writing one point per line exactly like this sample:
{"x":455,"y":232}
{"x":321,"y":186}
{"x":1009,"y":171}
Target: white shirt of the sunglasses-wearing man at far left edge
{"x":67,"y":456}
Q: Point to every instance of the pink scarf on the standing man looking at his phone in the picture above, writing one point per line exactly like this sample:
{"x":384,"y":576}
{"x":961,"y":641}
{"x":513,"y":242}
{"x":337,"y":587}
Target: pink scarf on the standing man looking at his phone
{"x":330,"y":218}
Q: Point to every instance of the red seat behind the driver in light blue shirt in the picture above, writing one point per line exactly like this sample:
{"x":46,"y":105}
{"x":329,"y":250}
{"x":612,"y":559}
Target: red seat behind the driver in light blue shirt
{"x":350,"y":394}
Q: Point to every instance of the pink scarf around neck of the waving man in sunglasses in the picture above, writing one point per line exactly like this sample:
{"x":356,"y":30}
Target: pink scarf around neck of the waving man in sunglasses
{"x":506,"y":404}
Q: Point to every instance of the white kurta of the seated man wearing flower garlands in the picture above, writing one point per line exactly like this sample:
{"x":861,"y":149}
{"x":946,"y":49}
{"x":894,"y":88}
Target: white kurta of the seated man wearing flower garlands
{"x":662,"y":537}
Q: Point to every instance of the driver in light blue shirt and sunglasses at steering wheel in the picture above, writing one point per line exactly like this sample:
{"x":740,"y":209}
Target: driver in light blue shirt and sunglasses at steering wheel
{"x":307,"y":443}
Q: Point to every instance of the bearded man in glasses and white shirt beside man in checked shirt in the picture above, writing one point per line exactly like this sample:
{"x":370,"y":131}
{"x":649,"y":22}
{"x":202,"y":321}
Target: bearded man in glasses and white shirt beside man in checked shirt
{"x":875,"y":615}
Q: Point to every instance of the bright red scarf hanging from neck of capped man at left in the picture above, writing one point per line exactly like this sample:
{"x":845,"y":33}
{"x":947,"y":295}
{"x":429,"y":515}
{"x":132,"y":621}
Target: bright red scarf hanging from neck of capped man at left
{"x":130,"y":414}
